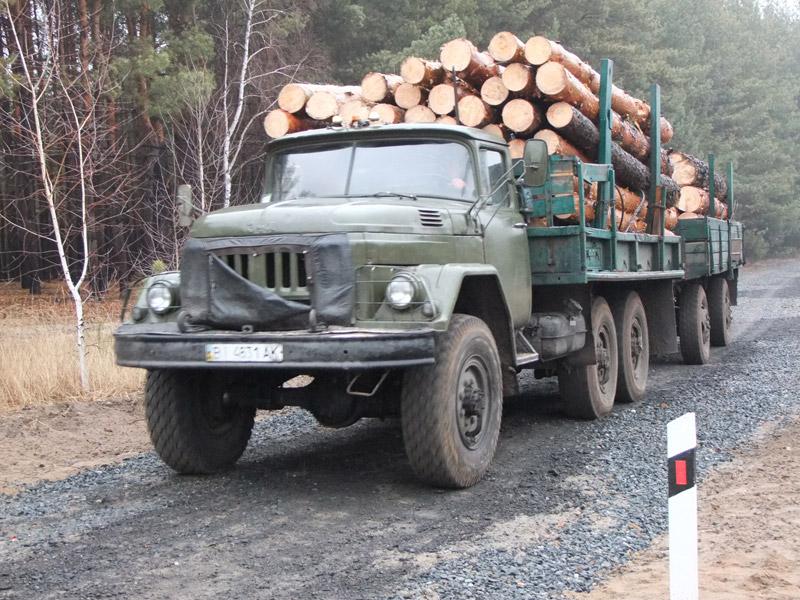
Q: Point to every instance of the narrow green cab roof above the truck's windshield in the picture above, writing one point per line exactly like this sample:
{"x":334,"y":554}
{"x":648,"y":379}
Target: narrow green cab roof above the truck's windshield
{"x":404,"y":130}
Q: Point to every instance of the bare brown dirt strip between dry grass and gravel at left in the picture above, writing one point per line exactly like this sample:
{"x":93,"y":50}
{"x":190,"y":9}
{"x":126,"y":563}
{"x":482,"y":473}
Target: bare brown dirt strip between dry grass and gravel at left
{"x":55,"y":441}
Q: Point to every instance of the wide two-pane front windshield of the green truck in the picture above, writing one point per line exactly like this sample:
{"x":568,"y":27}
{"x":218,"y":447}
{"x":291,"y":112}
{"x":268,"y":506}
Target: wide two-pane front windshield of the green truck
{"x":408,"y":169}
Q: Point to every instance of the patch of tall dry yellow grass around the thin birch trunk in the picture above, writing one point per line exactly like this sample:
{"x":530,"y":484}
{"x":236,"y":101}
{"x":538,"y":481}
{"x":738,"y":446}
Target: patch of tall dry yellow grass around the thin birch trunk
{"x":38,"y":361}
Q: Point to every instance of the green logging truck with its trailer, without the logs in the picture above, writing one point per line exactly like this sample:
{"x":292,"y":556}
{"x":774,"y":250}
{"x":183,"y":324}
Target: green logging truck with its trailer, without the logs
{"x":395,"y":268}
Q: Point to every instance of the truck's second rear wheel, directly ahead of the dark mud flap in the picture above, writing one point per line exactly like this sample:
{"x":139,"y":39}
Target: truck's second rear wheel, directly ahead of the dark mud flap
{"x":634,"y":348}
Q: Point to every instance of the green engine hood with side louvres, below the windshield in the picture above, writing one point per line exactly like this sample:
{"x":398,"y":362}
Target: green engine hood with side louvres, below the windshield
{"x":318,"y":215}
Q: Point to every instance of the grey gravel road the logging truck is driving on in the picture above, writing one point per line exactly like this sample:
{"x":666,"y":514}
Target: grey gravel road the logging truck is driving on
{"x":315,"y":513}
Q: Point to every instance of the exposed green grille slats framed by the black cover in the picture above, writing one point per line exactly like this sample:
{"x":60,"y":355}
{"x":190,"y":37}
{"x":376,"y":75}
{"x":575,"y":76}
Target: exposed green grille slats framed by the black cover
{"x":282,"y":272}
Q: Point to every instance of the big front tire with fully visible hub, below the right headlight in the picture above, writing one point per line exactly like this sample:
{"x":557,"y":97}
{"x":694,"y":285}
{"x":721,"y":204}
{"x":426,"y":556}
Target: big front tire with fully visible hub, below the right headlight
{"x":451,"y":410}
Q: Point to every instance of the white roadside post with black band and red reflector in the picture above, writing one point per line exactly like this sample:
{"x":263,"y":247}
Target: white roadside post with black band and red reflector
{"x":681,"y":446}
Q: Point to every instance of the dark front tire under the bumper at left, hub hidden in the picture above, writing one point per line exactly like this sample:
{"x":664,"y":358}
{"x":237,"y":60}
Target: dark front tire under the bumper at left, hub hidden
{"x":192,"y":428}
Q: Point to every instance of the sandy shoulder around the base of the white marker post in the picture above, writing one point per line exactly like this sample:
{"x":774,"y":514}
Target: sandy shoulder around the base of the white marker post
{"x":749,"y":516}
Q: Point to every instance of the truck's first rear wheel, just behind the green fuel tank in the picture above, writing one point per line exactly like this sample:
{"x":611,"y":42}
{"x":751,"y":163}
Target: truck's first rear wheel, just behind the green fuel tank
{"x":588,"y":391}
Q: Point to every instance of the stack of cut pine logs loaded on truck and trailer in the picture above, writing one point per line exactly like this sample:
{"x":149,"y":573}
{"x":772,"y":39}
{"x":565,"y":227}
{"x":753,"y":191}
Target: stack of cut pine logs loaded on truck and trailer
{"x":517,"y":91}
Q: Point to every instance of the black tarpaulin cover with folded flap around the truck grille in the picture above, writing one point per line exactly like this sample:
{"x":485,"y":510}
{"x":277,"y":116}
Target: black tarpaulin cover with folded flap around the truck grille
{"x":214,"y":294}
